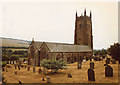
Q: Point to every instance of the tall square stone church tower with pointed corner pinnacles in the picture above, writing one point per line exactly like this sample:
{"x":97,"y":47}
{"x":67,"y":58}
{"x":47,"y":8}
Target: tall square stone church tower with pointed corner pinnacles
{"x":83,"y":30}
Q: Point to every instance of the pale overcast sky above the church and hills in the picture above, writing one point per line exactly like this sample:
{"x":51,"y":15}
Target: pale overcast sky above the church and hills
{"x":55,"y":21}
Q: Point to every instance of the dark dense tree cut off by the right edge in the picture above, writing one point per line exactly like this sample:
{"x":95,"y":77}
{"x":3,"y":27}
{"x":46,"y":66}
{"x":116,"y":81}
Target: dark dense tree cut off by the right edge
{"x":114,"y":51}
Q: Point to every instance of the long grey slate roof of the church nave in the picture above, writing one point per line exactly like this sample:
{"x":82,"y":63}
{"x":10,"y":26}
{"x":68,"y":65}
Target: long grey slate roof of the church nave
{"x":64,"y":47}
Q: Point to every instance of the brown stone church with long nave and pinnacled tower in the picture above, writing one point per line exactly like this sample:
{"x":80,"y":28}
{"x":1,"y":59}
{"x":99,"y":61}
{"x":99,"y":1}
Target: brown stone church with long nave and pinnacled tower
{"x":82,"y":47}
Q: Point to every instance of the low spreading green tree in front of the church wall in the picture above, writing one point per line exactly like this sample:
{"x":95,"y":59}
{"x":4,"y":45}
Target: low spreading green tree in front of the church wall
{"x":54,"y":65}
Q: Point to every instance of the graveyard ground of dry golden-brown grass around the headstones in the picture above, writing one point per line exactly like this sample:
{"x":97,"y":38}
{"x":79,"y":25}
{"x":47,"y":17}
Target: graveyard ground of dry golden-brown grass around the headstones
{"x":32,"y":75}
